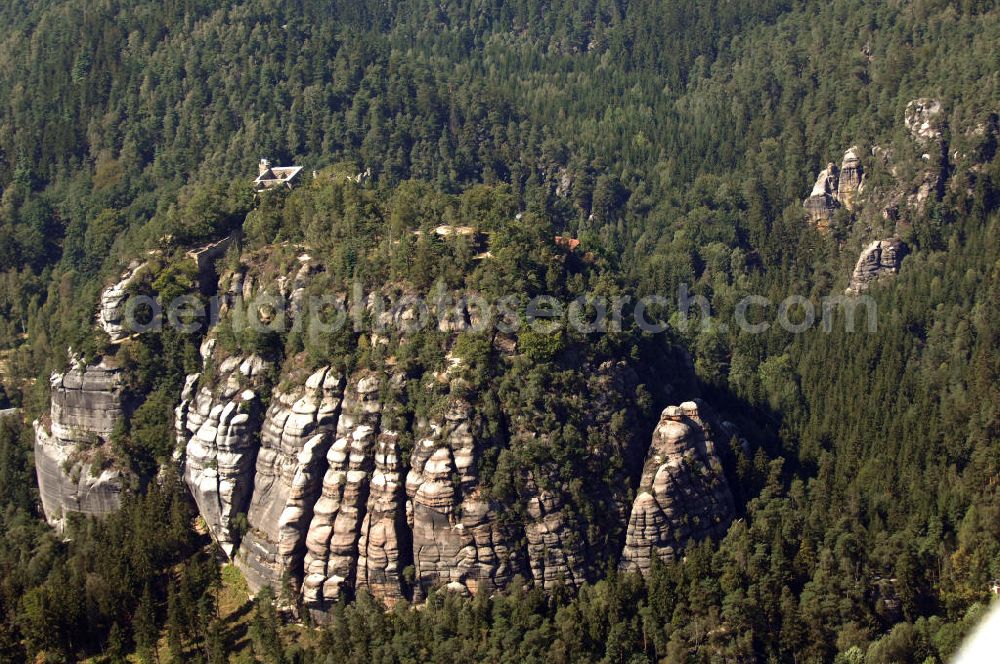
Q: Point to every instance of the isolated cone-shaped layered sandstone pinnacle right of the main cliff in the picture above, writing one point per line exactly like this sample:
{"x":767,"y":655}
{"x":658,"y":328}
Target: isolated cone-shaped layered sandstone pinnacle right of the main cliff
{"x":683,"y":494}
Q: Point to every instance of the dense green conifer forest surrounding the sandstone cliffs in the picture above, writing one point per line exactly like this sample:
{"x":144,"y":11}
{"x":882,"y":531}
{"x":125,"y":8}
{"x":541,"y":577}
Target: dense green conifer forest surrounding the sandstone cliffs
{"x":676,"y":141}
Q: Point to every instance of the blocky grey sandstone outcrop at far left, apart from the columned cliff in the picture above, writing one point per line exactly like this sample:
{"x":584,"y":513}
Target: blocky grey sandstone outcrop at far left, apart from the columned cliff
{"x":72,"y":459}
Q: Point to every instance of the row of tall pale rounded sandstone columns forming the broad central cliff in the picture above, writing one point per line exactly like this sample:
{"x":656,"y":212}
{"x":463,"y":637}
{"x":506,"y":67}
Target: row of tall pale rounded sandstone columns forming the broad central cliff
{"x":334,"y":506}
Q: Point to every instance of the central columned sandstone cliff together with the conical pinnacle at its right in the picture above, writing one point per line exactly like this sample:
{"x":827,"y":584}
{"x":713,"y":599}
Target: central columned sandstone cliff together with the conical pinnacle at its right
{"x":333,"y":485}
